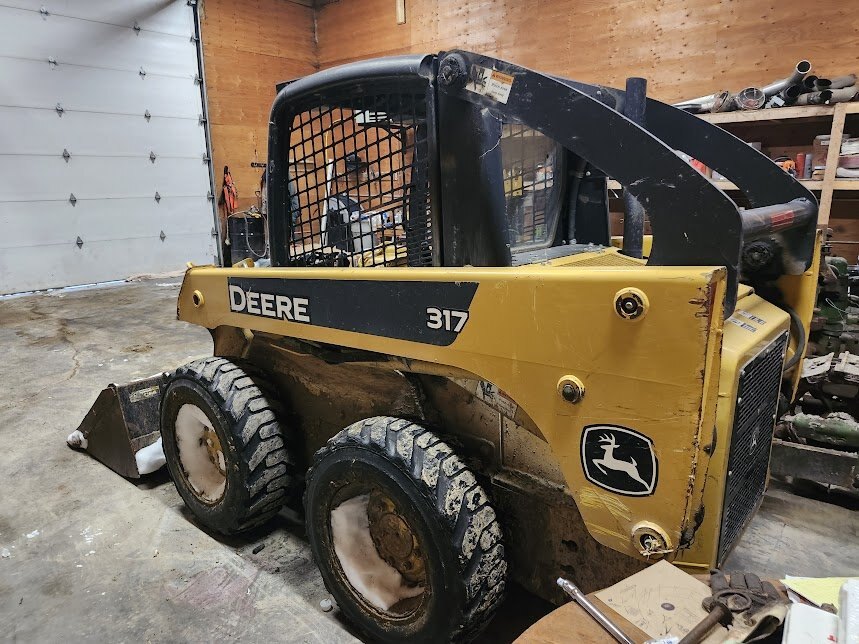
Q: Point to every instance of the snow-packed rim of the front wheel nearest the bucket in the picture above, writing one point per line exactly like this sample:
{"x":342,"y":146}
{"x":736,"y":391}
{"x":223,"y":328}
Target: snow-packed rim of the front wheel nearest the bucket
{"x":200,"y":454}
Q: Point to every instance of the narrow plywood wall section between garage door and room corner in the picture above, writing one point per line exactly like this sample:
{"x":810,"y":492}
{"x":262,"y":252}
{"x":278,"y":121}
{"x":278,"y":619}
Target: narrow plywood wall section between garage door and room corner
{"x":248,"y":47}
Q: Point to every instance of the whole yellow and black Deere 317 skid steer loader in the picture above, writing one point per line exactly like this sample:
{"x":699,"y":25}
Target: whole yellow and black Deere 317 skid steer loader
{"x":454,"y":367}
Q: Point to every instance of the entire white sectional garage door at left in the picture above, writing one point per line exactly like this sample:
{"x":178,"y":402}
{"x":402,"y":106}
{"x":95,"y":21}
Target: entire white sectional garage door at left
{"x":103,"y":158}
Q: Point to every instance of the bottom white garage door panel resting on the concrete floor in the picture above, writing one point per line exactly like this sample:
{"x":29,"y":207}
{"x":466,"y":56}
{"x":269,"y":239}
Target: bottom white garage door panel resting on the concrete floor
{"x":55,"y":266}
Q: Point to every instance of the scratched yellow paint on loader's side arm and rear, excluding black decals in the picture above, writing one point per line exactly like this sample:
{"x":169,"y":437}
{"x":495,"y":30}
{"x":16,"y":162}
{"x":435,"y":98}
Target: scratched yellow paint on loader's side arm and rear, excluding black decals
{"x":666,"y":375}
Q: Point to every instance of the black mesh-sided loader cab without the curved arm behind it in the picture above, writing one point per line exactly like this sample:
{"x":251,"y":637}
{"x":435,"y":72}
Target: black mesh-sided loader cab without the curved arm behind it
{"x":384,"y":172}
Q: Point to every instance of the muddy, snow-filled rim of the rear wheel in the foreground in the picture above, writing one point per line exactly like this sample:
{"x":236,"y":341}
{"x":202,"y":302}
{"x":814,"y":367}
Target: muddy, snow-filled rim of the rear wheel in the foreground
{"x":379,"y":553}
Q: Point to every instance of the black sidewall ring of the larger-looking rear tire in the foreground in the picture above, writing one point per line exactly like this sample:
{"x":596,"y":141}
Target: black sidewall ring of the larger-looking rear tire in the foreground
{"x":440,"y":614}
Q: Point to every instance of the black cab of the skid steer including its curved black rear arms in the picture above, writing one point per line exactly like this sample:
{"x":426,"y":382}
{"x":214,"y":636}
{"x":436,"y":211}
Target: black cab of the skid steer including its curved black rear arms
{"x":458,"y":159}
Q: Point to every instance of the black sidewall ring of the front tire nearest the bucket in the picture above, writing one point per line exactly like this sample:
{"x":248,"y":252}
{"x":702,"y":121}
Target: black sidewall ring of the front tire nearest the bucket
{"x":221,"y":515}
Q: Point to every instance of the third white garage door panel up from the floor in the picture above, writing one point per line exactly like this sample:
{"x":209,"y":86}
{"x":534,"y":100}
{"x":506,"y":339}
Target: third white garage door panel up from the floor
{"x":99,"y":177}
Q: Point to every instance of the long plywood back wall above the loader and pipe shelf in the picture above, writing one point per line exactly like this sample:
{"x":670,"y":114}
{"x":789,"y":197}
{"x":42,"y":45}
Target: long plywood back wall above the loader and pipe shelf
{"x":685,"y":48}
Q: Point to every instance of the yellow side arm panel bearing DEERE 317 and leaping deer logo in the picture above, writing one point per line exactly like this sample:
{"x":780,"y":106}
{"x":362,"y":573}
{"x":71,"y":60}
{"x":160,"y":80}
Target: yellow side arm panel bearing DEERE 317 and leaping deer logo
{"x":628,"y":450}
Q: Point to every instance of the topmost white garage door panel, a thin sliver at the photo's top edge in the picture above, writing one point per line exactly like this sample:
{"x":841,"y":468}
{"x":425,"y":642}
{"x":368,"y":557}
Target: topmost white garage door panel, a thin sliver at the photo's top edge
{"x":156,"y":15}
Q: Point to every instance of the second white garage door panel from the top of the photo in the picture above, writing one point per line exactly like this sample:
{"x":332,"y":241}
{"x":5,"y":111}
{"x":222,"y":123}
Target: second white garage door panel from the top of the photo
{"x":25,"y":34}
